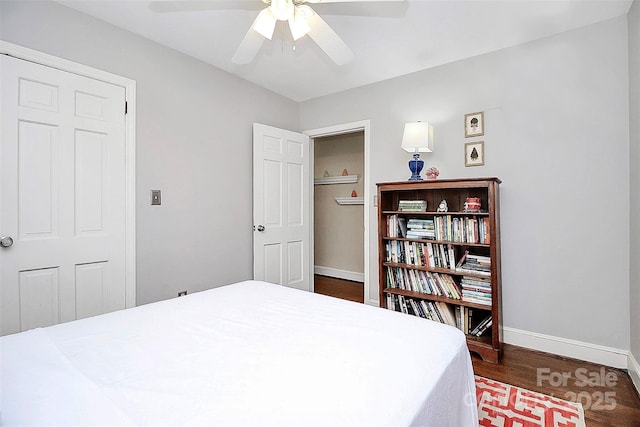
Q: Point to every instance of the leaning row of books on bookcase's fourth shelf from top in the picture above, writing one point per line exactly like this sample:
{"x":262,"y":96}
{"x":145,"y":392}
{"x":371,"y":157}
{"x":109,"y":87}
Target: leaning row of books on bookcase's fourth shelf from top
{"x":425,"y":282}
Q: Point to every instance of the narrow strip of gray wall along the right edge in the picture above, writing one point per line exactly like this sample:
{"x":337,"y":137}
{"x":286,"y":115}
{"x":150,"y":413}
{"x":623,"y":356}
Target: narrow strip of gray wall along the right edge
{"x":634,"y":127}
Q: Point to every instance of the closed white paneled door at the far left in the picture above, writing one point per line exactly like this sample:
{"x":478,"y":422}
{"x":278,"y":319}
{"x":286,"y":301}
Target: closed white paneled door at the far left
{"x":62,"y":195}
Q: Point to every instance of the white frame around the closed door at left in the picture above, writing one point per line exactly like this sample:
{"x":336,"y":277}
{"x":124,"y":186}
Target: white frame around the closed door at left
{"x":21,"y":52}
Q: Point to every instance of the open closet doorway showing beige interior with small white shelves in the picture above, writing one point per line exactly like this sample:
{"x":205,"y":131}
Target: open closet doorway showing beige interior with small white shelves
{"x":340,"y":210}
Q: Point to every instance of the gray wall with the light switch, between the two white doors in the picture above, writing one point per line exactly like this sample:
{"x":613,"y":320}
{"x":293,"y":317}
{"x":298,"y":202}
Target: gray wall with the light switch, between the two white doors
{"x":193,"y":143}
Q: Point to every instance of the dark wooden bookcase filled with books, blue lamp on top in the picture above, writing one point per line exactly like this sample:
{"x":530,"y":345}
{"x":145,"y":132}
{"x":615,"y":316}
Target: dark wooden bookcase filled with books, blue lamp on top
{"x":422,"y":274}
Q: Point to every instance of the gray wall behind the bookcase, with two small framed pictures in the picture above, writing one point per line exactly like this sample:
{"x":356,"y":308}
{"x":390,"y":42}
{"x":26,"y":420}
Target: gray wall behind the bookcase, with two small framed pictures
{"x":557,"y":134}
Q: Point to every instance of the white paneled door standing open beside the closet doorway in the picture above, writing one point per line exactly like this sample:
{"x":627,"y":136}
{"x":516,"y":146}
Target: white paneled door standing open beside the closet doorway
{"x":281,"y":213}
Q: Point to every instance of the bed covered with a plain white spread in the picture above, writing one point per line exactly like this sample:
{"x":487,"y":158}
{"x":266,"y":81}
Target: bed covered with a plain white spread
{"x":246,"y":354}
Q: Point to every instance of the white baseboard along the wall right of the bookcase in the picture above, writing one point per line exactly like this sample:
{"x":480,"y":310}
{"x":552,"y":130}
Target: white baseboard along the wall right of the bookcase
{"x":595,"y":353}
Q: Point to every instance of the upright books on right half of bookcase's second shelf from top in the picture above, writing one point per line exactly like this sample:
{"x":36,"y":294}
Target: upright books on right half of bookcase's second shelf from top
{"x":462,"y":229}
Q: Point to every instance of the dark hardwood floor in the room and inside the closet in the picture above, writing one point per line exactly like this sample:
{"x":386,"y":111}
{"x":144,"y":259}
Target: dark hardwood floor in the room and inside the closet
{"x":607,"y":394}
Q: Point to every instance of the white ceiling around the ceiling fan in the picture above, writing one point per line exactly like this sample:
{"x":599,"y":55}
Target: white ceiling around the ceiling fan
{"x":388,"y":38}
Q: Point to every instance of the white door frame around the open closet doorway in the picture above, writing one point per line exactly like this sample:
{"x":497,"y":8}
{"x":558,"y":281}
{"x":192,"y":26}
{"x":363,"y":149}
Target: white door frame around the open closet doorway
{"x":341,"y":129}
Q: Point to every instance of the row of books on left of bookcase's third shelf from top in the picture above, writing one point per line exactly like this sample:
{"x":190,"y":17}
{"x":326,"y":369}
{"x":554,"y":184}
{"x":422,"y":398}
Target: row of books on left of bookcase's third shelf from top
{"x":422,"y":254}
